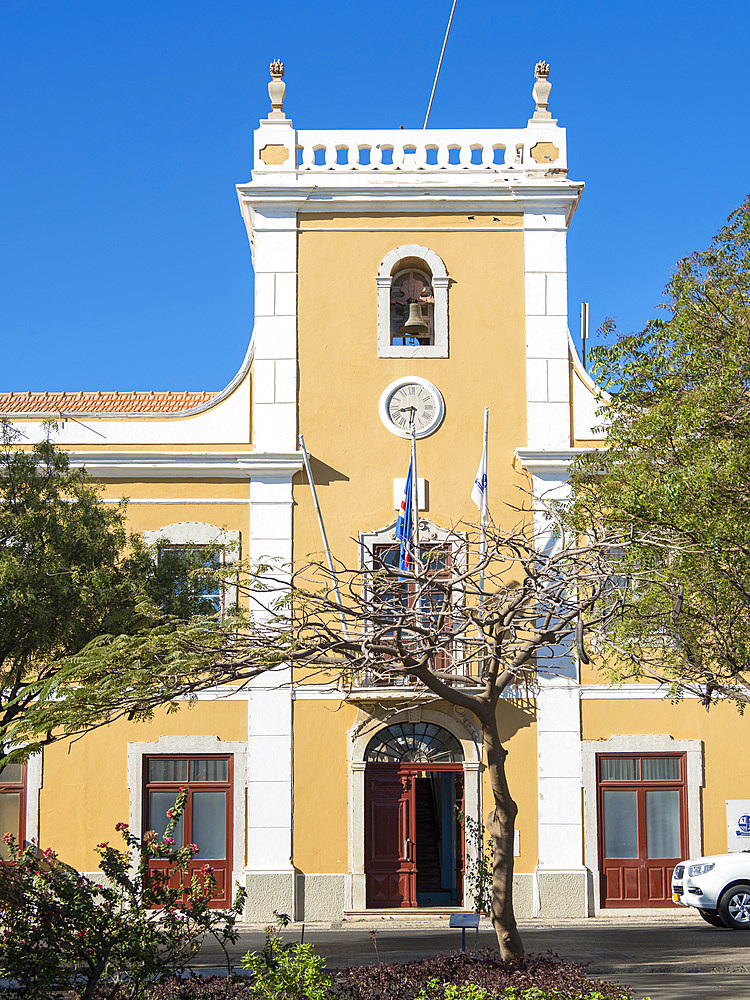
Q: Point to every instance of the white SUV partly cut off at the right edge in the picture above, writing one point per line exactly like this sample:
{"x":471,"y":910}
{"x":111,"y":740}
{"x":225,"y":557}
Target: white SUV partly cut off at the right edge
{"x":718,"y":886}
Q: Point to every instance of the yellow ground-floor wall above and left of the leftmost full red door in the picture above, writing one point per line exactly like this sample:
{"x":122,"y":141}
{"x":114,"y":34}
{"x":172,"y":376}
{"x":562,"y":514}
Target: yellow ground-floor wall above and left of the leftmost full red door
{"x":84,"y":791}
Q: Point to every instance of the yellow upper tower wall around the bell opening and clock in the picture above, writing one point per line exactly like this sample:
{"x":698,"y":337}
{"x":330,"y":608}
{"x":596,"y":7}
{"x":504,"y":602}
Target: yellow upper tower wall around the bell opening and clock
{"x":342,"y":378}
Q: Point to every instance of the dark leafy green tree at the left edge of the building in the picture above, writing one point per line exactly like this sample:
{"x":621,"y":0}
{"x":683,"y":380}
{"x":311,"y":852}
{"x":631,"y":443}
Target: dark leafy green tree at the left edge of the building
{"x":68,"y":574}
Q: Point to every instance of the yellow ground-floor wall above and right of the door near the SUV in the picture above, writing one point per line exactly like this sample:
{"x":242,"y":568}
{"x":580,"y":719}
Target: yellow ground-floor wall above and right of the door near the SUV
{"x":725,"y":746}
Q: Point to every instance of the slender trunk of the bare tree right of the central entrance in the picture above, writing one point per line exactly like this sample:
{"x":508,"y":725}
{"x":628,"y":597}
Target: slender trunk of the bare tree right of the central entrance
{"x":500,"y":826}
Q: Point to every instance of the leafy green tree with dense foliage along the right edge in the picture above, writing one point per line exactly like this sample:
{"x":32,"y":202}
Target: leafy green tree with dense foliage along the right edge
{"x":676,"y":473}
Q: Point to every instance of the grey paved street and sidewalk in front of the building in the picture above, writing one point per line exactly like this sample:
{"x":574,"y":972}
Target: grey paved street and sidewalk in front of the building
{"x":666,"y":959}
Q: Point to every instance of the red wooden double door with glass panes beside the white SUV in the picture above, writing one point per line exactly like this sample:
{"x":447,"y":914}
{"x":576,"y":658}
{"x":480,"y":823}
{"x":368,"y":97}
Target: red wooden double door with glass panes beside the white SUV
{"x":642,"y":827}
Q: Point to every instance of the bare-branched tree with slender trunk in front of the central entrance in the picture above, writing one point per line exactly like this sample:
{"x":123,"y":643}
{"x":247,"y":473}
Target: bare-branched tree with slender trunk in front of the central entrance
{"x":467,"y":627}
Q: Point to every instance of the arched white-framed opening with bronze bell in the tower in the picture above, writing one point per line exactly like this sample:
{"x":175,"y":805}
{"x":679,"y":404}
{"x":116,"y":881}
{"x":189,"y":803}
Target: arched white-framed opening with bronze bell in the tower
{"x":412,"y":284}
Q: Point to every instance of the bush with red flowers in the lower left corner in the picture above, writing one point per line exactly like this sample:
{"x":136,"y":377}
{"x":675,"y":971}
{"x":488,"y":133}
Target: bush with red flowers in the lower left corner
{"x":62,"y":930}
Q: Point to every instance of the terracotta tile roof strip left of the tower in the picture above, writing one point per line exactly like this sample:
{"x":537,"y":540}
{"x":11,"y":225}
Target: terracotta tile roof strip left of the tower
{"x":76,"y":403}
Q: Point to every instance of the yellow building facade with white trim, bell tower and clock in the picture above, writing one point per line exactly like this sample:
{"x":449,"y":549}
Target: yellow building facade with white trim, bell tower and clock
{"x":289,"y":781}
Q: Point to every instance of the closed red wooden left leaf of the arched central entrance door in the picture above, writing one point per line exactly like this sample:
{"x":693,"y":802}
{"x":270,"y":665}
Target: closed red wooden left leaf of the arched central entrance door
{"x":390,"y":834}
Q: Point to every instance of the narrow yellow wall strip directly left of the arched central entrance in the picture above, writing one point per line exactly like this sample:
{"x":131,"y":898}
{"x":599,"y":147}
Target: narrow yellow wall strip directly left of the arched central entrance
{"x":321,"y":794}
